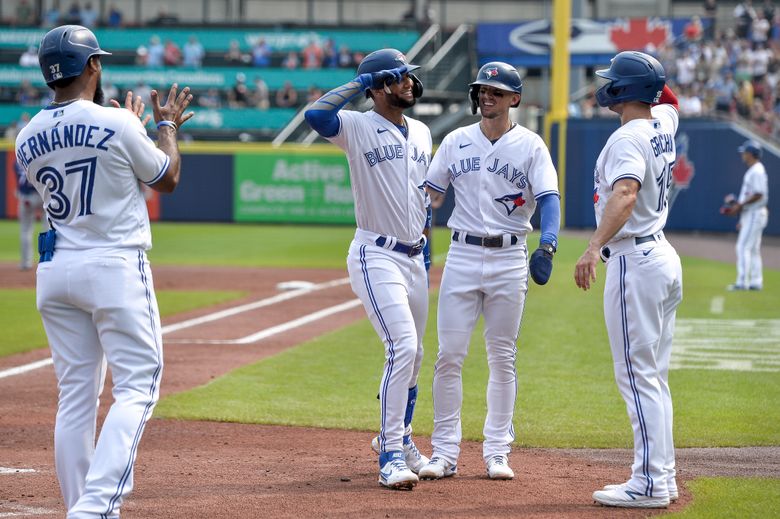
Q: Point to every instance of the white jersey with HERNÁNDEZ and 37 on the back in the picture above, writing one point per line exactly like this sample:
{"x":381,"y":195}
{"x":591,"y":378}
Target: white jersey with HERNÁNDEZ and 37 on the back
{"x":90,"y":185}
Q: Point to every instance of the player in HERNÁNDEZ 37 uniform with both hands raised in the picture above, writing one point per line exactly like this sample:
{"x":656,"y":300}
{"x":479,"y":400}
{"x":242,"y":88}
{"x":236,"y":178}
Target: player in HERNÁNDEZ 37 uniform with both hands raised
{"x":94,"y":286}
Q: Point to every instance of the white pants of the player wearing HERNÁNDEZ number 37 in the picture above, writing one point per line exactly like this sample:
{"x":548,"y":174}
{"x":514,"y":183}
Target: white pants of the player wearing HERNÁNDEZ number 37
{"x":98,"y":307}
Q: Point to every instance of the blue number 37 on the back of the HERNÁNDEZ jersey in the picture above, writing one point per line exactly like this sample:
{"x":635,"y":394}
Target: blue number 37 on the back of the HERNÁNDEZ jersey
{"x":60,"y":205}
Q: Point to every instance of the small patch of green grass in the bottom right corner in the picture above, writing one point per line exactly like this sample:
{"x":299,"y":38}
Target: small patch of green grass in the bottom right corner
{"x":738,"y":498}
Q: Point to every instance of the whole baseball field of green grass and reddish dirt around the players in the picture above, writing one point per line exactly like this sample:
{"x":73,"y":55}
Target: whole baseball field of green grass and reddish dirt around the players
{"x":269,"y":390}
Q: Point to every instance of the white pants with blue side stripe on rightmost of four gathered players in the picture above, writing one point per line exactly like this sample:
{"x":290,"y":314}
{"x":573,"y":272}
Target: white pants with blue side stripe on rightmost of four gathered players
{"x":642,"y":290}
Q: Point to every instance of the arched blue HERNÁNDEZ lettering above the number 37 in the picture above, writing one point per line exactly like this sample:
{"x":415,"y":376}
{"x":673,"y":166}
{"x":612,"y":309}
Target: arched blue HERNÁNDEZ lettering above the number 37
{"x":60,"y":137}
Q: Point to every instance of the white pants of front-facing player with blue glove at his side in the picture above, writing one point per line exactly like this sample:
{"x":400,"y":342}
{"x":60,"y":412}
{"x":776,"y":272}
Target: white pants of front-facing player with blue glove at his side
{"x":492,"y":282}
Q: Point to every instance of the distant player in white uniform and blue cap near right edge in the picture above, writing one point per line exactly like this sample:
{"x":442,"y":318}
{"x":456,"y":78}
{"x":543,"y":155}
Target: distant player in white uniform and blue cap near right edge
{"x":751,"y":206}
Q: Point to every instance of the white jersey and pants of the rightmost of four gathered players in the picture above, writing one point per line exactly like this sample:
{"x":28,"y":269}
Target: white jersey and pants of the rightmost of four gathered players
{"x":642,"y":290}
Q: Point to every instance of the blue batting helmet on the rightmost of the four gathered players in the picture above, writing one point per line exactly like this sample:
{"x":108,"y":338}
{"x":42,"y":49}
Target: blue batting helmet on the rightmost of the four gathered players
{"x":633,"y":76}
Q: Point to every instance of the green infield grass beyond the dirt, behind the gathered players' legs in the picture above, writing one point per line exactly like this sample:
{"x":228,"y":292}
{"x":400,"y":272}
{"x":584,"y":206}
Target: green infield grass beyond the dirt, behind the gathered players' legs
{"x":565,"y":374}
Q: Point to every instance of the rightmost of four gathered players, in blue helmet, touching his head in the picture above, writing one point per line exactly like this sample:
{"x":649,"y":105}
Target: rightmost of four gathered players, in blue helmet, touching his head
{"x":644,"y":278}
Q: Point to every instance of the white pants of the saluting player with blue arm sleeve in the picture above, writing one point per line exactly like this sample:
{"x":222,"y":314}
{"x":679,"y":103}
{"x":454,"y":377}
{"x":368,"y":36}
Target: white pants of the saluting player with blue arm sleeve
{"x":394,"y":290}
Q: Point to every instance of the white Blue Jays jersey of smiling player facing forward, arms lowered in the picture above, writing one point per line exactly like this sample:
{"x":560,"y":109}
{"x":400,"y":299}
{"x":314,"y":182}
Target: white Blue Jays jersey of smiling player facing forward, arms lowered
{"x":496,"y":185}
